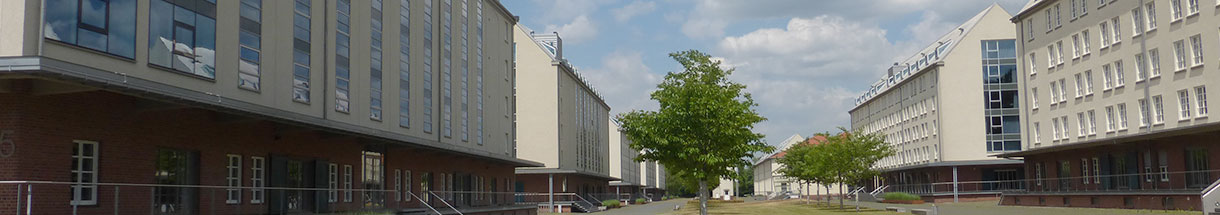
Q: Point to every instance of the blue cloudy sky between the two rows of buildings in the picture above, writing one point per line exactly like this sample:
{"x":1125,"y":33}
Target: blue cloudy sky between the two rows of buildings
{"x":805,"y":62}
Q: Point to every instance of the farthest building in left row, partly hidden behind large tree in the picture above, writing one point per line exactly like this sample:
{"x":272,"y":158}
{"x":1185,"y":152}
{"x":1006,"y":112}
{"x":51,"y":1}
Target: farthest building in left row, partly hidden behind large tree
{"x":624,"y":167}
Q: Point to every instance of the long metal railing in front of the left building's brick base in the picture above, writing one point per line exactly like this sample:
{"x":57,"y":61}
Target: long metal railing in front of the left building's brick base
{"x":51,"y":197}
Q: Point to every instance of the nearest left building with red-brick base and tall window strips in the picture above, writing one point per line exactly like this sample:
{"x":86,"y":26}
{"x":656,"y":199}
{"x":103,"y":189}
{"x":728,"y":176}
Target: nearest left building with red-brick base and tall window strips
{"x":257,"y":107}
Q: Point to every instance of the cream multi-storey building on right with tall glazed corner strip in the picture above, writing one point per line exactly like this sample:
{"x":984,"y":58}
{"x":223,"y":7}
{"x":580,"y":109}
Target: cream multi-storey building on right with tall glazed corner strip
{"x":969,"y":73}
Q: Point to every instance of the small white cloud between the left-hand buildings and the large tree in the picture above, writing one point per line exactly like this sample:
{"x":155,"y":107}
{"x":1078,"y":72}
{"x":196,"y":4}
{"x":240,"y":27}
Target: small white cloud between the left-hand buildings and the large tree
{"x":625,"y":81}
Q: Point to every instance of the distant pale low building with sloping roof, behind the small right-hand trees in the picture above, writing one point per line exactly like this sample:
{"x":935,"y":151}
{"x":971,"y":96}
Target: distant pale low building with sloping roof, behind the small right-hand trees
{"x":772,"y":184}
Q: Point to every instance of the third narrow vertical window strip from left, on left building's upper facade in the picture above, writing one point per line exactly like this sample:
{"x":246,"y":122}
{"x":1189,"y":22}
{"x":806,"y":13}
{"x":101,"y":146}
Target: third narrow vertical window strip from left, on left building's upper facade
{"x":343,"y":58}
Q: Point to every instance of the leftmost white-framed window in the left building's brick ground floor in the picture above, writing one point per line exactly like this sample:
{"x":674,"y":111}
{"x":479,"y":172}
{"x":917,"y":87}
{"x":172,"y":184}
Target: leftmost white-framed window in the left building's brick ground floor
{"x":85,"y":173}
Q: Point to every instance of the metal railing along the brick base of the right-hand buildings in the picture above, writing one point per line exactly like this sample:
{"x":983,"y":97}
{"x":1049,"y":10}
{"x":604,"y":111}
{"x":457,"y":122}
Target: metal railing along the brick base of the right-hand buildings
{"x":1161,"y":183}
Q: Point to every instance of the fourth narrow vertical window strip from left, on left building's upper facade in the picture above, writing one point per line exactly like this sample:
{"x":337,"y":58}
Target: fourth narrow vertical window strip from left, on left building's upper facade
{"x":375,"y":62}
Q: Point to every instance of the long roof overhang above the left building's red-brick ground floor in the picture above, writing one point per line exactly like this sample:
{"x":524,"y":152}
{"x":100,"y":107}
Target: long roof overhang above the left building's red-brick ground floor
{"x":118,"y":82}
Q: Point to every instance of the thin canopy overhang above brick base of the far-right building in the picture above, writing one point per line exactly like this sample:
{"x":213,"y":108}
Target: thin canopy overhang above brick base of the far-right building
{"x":1116,"y":141}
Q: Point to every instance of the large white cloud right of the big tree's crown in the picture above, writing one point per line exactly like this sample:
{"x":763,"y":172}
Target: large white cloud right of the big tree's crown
{"x":802,"y":76}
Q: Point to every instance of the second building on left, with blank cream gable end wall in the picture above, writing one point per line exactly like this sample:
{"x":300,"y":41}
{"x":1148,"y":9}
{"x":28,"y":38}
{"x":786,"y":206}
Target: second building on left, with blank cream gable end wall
{"x":563,"y":125}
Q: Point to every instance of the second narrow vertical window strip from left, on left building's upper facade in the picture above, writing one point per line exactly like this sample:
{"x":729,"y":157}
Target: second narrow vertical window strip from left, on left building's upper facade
{"x":302,"y":49}
